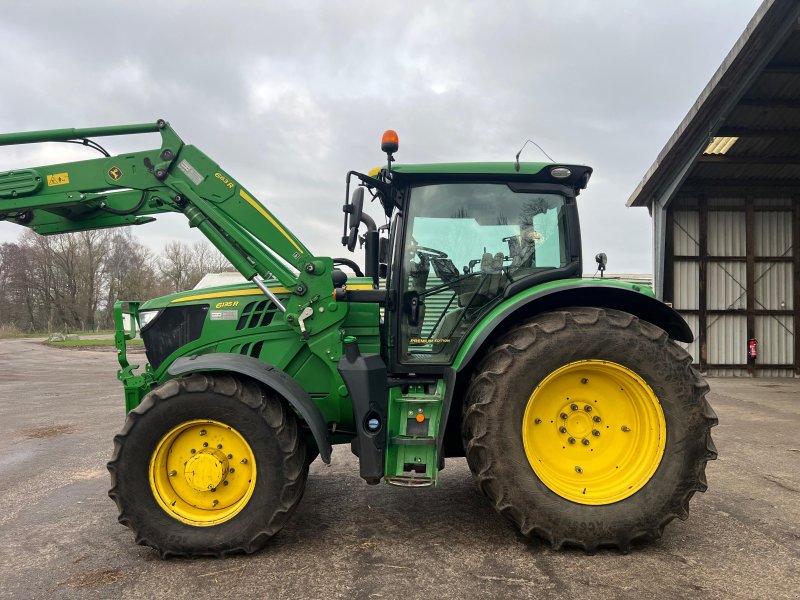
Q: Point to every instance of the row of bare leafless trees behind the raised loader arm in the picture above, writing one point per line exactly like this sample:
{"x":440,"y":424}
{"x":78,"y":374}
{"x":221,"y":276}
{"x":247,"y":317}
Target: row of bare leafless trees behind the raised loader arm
{"x":73,"y":280}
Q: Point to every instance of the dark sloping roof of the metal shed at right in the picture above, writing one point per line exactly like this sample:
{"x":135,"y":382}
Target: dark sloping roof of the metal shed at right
{"x":755,"y":96}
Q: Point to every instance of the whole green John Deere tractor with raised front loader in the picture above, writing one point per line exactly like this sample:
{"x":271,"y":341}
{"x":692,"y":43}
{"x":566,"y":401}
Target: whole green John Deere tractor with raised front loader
{"x":470,"y":332}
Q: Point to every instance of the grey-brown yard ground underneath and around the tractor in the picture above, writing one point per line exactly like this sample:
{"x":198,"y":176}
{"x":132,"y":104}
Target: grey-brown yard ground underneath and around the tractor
{"x":59,"y":537}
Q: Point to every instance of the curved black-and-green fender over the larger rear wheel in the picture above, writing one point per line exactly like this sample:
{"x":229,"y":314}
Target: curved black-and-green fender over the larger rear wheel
{"x":618,"y":295}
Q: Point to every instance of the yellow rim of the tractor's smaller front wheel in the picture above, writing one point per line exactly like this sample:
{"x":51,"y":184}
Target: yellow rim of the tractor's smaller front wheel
{"x":202,"y":473}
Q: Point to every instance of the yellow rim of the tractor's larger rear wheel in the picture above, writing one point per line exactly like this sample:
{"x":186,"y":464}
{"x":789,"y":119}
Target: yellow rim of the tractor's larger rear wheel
{"x":594,"y":432}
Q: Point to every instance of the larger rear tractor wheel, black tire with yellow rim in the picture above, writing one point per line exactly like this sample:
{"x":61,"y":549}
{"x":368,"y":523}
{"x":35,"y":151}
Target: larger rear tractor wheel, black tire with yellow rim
{"x":588,"y":427}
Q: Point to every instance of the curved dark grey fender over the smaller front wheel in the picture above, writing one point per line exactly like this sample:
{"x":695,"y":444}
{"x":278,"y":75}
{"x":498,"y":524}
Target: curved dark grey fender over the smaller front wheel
{"x":273,"y":378}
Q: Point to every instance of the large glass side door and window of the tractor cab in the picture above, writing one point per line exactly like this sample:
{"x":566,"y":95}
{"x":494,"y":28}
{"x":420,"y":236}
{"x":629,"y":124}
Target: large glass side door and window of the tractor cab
{"x":465,"y":243}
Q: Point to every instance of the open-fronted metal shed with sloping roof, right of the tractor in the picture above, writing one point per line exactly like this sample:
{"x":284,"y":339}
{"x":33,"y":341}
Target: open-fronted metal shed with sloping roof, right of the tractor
{"x":724,"y":194}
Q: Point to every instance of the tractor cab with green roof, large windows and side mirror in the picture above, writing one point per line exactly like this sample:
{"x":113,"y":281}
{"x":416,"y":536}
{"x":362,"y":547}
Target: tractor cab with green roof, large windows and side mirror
{"x":462,"y":237}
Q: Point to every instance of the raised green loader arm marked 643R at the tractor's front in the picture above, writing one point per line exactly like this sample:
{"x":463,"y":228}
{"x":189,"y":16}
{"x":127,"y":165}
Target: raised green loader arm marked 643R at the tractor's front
{"x":128,"y":189}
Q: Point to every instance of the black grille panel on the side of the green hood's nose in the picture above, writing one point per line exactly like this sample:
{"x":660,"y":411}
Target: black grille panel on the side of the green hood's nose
{"x":174,"y":327}
